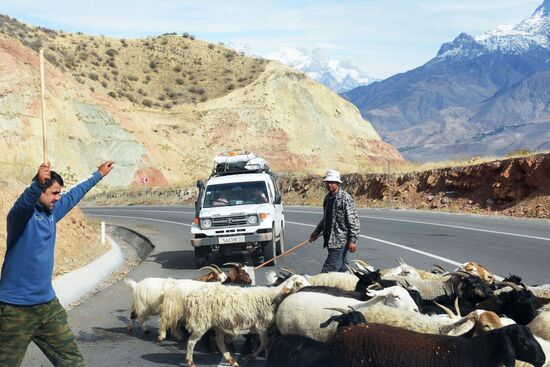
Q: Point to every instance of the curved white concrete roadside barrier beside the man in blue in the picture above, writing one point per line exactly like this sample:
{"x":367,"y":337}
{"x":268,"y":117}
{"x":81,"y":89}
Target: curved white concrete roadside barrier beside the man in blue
{"x":70,"y":287}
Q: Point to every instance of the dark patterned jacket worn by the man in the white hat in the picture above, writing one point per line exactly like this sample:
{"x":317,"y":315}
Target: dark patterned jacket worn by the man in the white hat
{"x":345,"y":222}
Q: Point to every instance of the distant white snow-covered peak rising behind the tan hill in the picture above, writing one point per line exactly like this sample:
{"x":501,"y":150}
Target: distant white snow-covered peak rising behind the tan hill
{"x":338,"y":75}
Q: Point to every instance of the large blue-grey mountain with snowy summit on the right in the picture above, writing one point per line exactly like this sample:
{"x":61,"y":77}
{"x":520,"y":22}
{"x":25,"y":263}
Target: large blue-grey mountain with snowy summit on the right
{"x":479,"y":95}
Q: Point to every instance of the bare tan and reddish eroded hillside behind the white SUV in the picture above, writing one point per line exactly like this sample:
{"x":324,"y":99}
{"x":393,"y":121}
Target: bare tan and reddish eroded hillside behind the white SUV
{"x":295,"y":123}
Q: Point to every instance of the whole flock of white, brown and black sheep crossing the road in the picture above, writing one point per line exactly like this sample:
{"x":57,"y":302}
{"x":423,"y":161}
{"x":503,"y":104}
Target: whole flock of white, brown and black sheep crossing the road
{"x":401,"y":316}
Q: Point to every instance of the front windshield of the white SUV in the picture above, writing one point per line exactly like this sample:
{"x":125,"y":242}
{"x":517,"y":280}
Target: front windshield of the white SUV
{"x":239,"y":193}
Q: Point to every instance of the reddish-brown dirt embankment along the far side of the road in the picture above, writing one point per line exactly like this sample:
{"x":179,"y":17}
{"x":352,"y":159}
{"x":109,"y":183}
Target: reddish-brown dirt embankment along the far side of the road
{"x":515,"y":186}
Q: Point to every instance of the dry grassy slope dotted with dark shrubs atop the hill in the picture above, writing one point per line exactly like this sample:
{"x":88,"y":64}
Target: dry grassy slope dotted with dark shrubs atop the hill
{"x":160,"y":72}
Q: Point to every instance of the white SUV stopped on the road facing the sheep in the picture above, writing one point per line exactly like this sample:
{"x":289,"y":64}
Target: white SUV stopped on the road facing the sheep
{"x":238,"y":212}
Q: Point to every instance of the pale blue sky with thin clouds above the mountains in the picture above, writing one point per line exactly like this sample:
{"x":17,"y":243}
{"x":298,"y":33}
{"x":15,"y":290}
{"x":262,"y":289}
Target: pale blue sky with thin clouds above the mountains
{"x":383,"y":37}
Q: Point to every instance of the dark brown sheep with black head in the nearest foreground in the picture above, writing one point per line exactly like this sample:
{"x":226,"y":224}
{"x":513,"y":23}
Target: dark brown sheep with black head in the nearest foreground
{"x":377,"y":345}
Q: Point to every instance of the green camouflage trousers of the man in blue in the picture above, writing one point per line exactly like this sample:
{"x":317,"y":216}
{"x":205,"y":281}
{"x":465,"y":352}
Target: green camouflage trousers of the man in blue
{"x":46,"y":325}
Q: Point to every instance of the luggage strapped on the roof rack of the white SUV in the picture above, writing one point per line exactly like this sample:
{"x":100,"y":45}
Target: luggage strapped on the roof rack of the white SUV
{"x":235,"y":163}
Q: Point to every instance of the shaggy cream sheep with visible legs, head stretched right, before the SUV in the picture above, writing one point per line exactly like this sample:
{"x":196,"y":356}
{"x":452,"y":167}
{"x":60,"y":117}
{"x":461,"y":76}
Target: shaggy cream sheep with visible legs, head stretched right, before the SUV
{"x":234,"y":311}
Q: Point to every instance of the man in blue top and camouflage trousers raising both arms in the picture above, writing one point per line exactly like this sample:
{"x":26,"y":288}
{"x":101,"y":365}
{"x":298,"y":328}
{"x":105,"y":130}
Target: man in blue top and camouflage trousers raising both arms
{"x":29,"y":309}
